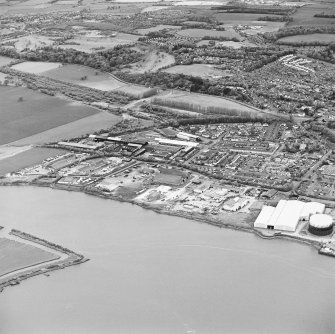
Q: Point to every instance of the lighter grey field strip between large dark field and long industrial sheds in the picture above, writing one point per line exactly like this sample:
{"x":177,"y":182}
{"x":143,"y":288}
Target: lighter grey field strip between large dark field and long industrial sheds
{"x":83,"y":126}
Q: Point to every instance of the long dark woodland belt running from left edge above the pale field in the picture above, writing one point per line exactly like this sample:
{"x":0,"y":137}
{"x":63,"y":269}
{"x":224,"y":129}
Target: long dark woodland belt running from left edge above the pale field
{"x":104,"y":60}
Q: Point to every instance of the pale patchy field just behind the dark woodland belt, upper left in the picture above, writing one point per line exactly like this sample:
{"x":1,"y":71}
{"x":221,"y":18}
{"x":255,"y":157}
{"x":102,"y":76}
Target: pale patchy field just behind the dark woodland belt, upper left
{"x":93,"y":44}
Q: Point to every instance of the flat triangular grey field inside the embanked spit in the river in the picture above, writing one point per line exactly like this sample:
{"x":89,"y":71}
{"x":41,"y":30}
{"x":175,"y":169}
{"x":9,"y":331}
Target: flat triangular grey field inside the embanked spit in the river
{"x":16,"y":255}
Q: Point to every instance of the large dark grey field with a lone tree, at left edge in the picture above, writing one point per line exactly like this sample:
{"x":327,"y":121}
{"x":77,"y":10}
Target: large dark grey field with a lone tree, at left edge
{"x":36,"y":112}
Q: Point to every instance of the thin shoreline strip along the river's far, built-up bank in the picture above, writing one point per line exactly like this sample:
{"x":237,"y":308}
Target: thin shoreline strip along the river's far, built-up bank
{"x":318,"y":245}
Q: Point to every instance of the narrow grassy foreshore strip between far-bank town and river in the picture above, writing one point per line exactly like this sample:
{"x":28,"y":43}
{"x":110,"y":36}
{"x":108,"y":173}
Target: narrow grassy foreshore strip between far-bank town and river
{"x":190,"y":216}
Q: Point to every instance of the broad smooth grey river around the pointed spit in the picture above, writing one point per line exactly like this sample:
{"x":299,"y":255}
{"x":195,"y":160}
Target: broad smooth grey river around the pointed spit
{"x":151,"y":273}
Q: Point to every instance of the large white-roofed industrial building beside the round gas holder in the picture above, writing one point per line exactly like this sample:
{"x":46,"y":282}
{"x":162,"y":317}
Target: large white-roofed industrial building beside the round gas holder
{"x":287,"y":214}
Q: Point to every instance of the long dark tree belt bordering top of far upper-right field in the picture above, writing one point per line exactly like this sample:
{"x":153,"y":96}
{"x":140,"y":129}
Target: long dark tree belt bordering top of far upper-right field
{"x":299,"y":30}
